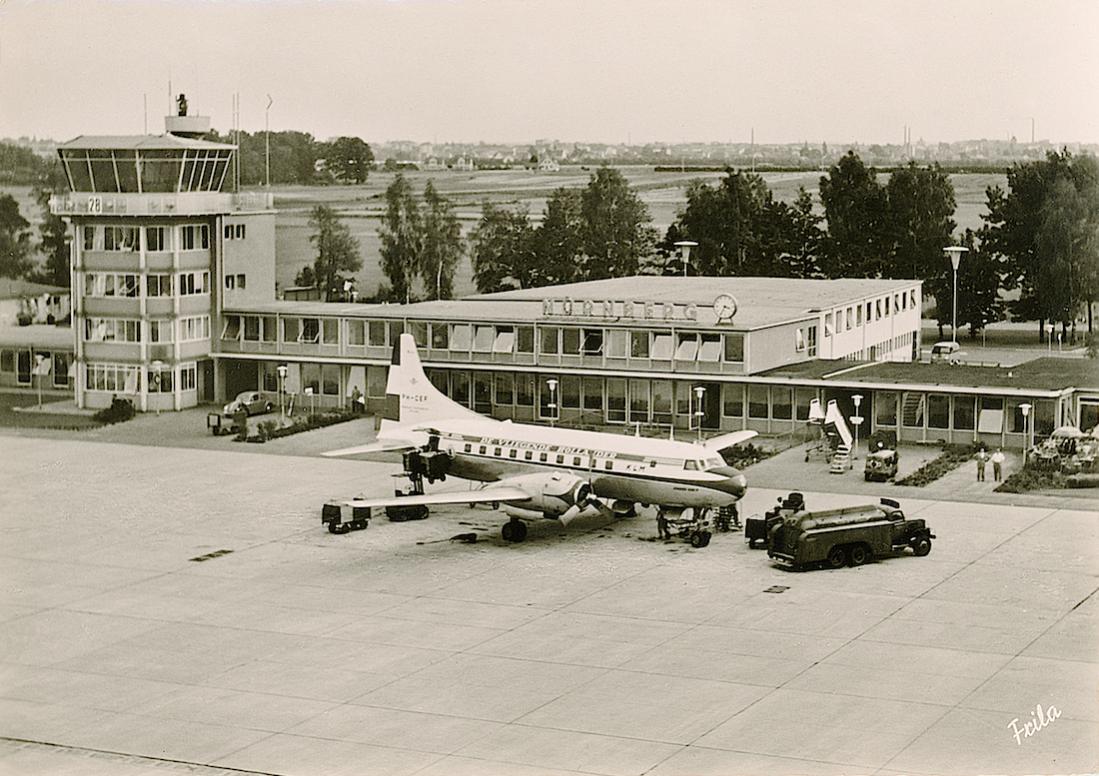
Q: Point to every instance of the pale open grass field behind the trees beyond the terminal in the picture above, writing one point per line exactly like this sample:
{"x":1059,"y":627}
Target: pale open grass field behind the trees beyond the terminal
{"x":362,"y":206}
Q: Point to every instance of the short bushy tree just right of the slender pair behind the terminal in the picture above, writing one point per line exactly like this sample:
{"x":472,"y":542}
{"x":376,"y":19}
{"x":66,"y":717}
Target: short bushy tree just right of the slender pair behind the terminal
{"x":503,"y":249}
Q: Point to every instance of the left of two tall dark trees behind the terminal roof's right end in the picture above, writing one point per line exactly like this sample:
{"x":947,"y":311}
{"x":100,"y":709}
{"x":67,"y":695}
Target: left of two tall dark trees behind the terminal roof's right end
{"x":856,"y":208}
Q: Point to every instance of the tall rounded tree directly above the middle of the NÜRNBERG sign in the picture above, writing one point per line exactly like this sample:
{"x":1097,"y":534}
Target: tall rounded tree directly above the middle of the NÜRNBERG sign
{"x":615,"y":232}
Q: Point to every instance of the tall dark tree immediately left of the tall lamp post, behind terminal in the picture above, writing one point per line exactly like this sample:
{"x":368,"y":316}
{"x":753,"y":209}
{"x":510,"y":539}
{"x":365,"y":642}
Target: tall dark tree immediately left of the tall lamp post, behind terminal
{"x":920,"y":220}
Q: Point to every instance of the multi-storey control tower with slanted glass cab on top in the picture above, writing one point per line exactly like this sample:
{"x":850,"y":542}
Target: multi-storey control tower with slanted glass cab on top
{"x":159,"y":249}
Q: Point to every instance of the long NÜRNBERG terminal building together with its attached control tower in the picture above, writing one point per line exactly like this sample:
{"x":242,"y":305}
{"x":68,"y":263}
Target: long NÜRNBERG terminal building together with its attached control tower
{"x":175,"y":305}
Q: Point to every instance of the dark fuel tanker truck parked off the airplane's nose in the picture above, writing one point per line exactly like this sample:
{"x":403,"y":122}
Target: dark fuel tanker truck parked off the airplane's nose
{"x":851,"y":536}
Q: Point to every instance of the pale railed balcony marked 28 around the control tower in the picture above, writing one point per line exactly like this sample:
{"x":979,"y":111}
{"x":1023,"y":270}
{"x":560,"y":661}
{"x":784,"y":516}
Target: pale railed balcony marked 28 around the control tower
{"x":169,"y":204}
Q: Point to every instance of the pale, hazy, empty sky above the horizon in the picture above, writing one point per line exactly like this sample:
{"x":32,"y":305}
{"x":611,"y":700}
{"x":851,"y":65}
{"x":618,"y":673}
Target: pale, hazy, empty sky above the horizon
{"x":574,"y":71}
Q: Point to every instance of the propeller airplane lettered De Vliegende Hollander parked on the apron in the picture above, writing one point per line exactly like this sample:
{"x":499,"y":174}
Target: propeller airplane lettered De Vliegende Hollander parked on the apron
{"x":536,"y":472}
